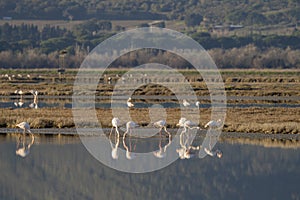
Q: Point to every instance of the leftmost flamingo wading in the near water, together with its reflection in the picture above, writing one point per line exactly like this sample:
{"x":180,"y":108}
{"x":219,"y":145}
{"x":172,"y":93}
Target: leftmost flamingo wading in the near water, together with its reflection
{"x":23,"y":149}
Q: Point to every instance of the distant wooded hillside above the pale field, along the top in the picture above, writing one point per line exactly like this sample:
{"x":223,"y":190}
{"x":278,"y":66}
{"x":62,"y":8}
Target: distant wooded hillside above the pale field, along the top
{"x":247,"y":12}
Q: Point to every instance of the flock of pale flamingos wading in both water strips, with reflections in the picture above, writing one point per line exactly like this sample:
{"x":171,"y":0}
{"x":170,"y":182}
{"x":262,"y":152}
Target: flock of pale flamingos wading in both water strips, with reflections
{"x":184,"y":152}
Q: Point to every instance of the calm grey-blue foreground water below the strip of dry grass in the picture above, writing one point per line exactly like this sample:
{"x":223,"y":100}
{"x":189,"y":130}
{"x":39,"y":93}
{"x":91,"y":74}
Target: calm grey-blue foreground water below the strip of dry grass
{"x":61,"y":168}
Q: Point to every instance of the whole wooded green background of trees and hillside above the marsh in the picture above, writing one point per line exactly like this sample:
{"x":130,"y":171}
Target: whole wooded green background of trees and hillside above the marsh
{"x":251,"y":42}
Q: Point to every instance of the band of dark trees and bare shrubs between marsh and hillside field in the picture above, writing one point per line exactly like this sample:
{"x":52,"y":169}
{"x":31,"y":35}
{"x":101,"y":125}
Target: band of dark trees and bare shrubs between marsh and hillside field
{"x":26,"y":46}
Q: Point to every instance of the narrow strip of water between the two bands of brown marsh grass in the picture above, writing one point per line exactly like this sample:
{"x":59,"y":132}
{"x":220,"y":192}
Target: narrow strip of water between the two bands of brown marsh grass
{"x":167,"y":102}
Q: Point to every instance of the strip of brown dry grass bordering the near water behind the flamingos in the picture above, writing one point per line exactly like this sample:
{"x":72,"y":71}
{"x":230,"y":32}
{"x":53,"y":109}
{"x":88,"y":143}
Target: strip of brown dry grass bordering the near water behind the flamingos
{"x":263,"y":120}
